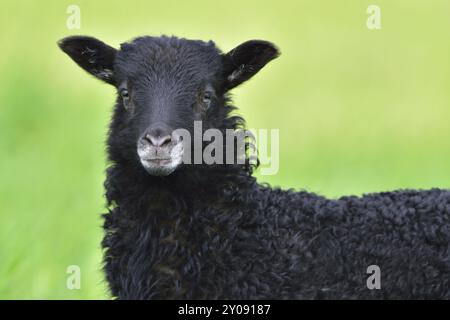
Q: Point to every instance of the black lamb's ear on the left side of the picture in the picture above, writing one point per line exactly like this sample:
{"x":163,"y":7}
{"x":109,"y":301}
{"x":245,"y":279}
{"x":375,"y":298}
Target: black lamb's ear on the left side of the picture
{"x":92,"y":55}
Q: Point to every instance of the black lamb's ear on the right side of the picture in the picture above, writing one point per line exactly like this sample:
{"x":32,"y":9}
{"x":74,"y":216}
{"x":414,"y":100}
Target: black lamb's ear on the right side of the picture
{"x":244,"y":61}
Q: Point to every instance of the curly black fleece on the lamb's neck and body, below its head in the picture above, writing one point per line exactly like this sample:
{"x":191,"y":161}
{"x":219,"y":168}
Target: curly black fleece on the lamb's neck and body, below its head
{"x":217,"y":234}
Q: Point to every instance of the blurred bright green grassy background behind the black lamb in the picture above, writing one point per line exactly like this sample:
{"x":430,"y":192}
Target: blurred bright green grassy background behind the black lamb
{"x":358,"y":111}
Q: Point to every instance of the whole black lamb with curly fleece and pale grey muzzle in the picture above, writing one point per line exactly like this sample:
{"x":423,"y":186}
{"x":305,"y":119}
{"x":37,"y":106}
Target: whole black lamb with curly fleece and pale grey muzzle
{"x":176,"y":230}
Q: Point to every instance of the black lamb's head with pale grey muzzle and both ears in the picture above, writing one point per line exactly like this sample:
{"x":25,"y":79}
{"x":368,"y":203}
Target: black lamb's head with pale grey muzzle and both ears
{"x":164,"y":86}
